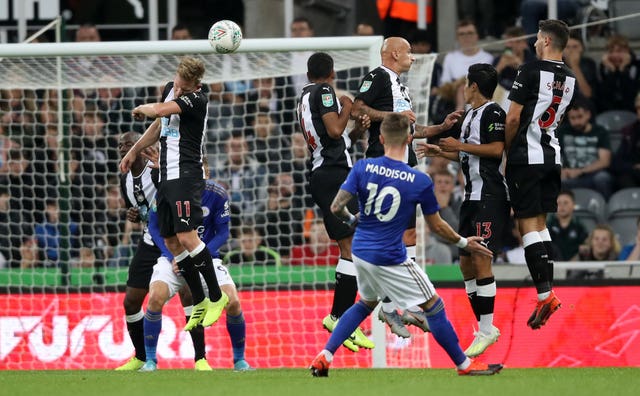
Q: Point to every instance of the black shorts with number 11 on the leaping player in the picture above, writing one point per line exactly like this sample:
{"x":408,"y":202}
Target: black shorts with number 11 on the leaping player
{"x":179,"y":205}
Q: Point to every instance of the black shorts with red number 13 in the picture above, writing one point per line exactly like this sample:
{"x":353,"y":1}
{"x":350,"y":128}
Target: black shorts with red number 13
{"x":485,"y":219}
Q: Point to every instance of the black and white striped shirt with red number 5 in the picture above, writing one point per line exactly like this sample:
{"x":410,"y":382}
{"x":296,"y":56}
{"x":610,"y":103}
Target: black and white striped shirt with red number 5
{"x":544,"y":89}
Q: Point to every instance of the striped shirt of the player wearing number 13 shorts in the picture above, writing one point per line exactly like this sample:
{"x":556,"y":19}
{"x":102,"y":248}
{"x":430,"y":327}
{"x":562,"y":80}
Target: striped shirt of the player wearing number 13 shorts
{"x":484,"y":180}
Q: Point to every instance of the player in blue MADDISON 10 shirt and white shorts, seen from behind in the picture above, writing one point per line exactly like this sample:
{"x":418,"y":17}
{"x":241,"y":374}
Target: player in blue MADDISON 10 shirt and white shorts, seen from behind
{"x":388,"y":191}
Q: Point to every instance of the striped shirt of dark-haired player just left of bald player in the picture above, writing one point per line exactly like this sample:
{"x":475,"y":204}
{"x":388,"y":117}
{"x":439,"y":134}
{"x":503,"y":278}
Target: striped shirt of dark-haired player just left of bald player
{"x":317,"y":100}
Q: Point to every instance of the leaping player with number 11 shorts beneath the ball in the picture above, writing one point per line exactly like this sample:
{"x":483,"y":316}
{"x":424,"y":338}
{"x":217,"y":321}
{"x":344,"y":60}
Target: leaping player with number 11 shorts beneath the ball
{"x":180,"y":122}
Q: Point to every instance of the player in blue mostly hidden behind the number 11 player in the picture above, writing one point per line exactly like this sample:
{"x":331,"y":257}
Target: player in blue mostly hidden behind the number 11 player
{"x":165,"y":283}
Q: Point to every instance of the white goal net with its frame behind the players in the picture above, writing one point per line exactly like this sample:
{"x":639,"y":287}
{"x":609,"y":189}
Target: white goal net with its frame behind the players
{"x":64,"y":242}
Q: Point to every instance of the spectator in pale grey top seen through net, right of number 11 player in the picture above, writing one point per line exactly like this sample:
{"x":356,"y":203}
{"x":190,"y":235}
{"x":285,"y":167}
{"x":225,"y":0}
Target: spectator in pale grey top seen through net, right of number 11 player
{"x":242,"y":174}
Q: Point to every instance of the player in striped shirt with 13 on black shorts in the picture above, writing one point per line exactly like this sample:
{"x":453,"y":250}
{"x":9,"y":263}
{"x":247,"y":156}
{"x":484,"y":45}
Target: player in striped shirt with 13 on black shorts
{"x":485,"y":210}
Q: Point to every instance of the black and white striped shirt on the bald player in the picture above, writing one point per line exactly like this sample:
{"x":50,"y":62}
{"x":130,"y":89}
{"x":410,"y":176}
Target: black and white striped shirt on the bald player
{"x":382,"y":90}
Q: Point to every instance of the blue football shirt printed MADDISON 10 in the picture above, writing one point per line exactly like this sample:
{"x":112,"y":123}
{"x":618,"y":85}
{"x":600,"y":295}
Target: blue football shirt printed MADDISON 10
{"x":388,"y":192}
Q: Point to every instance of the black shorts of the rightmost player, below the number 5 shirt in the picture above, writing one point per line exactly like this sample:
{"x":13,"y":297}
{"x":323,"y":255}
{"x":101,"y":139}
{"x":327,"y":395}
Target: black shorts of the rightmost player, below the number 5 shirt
{"x":533,"y":189}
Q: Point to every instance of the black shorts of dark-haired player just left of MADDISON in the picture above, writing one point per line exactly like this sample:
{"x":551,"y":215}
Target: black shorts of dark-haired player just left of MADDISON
{"x":325,"y":183}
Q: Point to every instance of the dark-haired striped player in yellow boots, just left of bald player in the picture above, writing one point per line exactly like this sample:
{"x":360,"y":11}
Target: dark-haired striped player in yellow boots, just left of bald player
{"x":323,"y":119}
